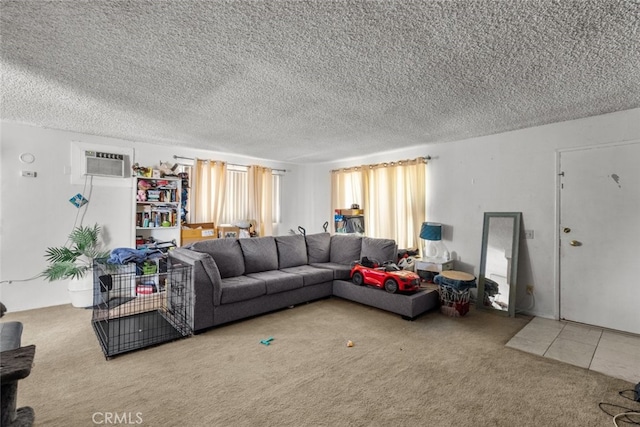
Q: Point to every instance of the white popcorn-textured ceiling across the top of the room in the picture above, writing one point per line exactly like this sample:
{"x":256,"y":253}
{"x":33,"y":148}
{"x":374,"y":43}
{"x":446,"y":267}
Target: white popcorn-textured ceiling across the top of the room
{"x":310,"y":81}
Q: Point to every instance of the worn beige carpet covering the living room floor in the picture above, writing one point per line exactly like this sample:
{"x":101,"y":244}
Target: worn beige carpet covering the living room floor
{"x":435,"y":371}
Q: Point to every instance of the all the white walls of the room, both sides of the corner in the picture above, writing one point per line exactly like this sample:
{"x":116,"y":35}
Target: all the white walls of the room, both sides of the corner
{"x":513,"y":171}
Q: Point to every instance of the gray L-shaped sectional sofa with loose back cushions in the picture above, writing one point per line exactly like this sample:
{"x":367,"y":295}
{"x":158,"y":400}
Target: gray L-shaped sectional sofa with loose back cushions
{"x":239,"y":278}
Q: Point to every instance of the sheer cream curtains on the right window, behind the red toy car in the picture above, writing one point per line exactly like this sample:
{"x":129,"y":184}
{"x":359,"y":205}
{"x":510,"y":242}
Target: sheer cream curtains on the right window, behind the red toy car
{"x":392,"y":196}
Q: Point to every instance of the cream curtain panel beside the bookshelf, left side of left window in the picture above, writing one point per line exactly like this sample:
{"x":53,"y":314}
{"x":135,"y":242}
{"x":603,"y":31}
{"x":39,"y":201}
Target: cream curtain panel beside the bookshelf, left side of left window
{"x":208,"y":195}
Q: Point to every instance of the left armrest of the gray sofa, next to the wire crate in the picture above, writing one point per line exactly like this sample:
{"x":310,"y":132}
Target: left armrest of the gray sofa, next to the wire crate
{"x":207,"y":290}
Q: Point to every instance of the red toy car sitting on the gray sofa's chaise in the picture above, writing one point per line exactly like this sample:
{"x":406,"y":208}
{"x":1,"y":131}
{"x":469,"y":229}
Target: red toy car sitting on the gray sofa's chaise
{"x":388,"y":276}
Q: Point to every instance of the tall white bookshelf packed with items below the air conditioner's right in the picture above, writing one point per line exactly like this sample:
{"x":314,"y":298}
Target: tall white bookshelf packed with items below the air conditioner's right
{"x":157,"y":212}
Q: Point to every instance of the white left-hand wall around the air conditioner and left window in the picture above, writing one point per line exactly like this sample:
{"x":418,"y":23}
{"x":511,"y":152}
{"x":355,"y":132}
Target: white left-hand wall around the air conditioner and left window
{"x":35,"y":213}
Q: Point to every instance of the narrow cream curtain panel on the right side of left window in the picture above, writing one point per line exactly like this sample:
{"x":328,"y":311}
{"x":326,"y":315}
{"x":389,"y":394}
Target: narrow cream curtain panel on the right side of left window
{"x":261,"y":199}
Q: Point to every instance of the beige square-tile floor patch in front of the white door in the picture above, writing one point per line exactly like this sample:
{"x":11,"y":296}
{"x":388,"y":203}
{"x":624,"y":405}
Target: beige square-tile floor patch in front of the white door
{"x":612,"y":353}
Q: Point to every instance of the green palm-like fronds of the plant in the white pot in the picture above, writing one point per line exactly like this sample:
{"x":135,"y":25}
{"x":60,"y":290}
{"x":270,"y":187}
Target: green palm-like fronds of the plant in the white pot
{"x":74,"y":261}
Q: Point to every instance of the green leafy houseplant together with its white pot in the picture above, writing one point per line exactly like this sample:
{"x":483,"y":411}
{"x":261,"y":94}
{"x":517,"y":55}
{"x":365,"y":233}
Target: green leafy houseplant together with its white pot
{"x":74,"y":260}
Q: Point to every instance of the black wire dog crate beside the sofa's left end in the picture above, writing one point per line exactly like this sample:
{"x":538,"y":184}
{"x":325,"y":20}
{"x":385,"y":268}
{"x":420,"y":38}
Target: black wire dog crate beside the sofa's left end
{"x":140,"y":305}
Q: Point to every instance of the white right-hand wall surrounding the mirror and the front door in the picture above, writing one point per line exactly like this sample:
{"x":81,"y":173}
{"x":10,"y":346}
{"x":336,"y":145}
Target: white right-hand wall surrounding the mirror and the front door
{"x":509,"y":172}
